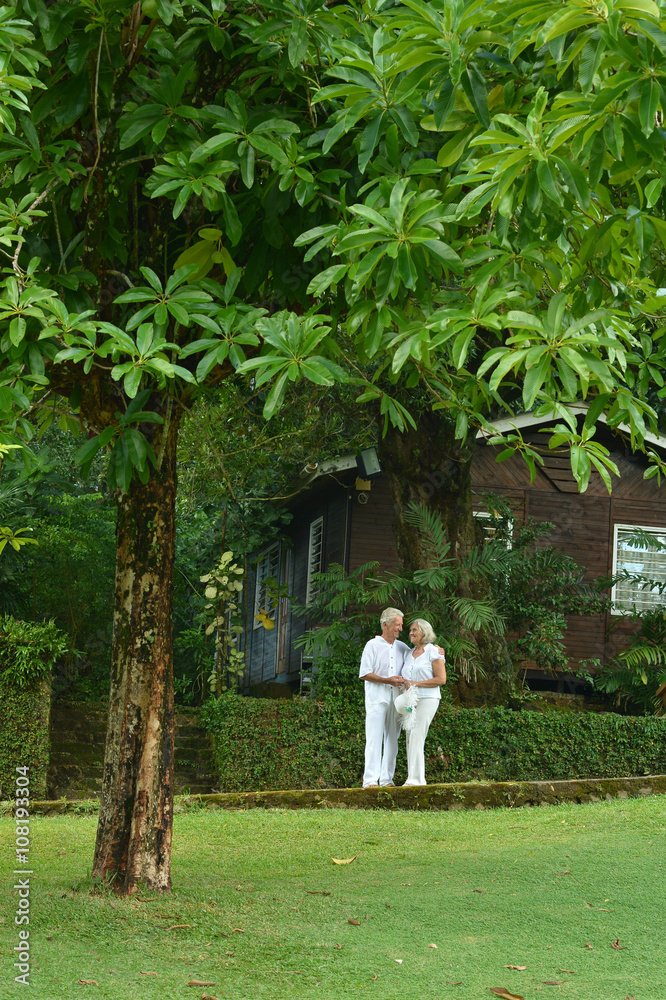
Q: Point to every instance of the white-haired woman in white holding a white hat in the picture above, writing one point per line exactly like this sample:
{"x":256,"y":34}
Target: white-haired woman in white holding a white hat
{"x":424,"y":670}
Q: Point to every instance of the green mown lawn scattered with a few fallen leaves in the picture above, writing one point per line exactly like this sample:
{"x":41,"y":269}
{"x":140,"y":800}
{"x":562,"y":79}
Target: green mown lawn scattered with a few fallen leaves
{"x":260,"y":912}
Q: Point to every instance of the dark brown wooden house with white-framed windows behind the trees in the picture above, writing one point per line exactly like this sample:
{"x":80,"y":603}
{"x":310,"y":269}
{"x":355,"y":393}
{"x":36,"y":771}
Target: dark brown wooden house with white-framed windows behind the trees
{"x":339,"y":519}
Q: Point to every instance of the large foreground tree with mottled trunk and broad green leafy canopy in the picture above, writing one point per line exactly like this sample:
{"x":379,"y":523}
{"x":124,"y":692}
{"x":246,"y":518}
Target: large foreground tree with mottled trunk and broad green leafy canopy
{"x":476,"y":186}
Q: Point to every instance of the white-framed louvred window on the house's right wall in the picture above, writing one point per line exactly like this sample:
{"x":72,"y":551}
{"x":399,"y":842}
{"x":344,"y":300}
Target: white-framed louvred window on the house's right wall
{"x":636,"y":557}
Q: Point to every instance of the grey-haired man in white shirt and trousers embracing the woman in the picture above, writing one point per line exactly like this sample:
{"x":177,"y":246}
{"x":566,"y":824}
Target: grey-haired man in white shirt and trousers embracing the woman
{"x":381,"y":667}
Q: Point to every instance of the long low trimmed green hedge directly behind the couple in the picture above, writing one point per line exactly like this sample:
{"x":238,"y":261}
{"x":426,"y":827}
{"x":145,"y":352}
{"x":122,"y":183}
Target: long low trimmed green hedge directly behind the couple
{"x":261,"y":744}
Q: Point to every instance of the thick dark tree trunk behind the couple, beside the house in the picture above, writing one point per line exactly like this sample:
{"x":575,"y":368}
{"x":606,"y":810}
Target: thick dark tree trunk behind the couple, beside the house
{"x":430,"y":466}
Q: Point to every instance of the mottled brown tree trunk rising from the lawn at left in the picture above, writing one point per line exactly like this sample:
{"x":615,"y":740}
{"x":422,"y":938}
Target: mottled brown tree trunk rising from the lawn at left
{"x":134,"y":834}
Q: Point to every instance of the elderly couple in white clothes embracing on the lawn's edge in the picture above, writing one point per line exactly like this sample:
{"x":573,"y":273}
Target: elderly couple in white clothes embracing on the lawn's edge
{"x":388,"y":666}
